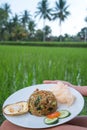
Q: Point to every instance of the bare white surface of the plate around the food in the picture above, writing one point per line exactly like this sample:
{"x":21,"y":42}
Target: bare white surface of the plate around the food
{"x":31,"y":121}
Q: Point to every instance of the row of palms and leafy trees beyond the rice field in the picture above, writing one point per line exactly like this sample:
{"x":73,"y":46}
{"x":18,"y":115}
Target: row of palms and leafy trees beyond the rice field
{"x":23,"y":26}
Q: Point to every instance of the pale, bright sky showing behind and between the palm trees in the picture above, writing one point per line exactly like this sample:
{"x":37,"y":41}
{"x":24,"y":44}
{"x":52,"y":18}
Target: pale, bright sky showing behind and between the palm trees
{"x":72,"y":25}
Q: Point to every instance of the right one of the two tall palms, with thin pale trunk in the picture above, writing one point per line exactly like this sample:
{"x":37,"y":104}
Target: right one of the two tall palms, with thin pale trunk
{"x":61,"y":12}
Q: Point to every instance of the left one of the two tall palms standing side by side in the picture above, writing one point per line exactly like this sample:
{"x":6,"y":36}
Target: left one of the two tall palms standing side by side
{"x":44,"y":12}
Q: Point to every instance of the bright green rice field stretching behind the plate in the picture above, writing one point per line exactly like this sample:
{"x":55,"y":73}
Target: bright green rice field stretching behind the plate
{"x":22,"y":66}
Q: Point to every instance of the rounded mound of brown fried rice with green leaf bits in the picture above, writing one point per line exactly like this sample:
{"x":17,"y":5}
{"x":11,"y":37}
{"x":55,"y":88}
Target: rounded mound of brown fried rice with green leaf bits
{"x":42,"y":102}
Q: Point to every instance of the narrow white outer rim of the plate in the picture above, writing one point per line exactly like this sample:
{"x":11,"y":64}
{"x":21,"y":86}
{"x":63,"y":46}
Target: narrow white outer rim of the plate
{"x":36,"y":86}
